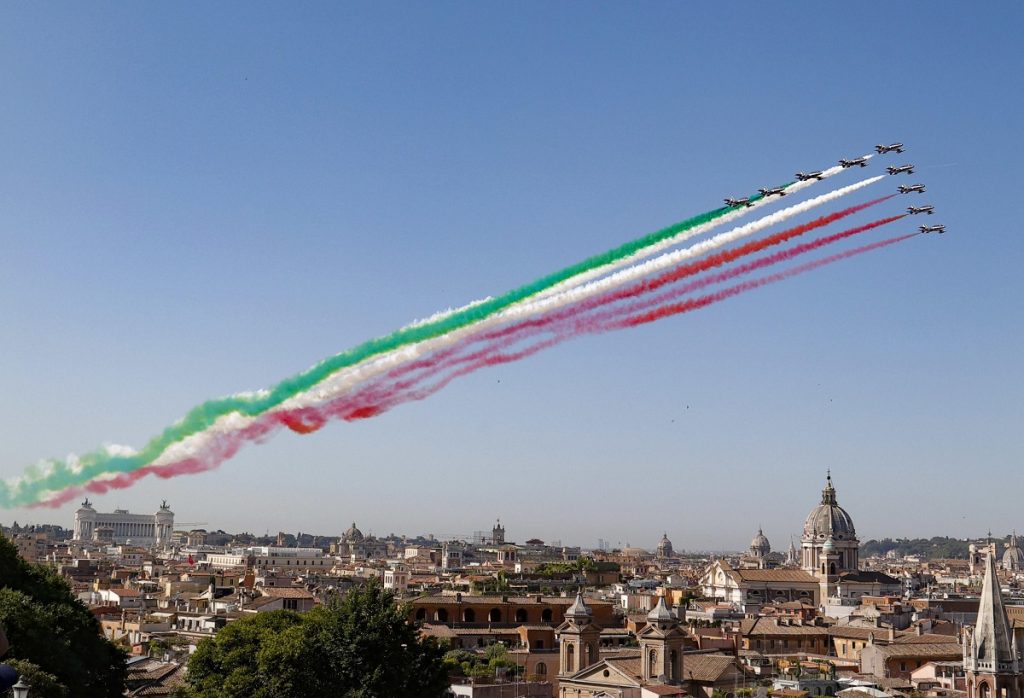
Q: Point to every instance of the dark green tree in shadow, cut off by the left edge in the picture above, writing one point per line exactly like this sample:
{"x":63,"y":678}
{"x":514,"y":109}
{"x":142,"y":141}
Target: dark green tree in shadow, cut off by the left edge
{"x":54,"y":635}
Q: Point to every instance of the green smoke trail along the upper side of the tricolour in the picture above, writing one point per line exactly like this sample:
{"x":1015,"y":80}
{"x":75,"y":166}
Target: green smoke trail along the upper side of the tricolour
{"x":49,"y":476}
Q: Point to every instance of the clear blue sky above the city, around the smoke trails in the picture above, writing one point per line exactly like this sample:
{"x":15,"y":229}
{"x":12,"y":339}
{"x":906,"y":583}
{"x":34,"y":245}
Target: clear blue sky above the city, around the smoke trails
{"x":200,"y":200}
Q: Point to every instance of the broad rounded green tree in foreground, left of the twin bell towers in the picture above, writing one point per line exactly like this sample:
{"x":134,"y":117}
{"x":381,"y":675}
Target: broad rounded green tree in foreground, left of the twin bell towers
{"x":361,"y":646}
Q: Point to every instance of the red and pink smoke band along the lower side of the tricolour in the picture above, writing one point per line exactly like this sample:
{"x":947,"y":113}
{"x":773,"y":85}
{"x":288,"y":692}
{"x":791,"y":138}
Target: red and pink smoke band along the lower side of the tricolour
{"x":376,"y":400}
